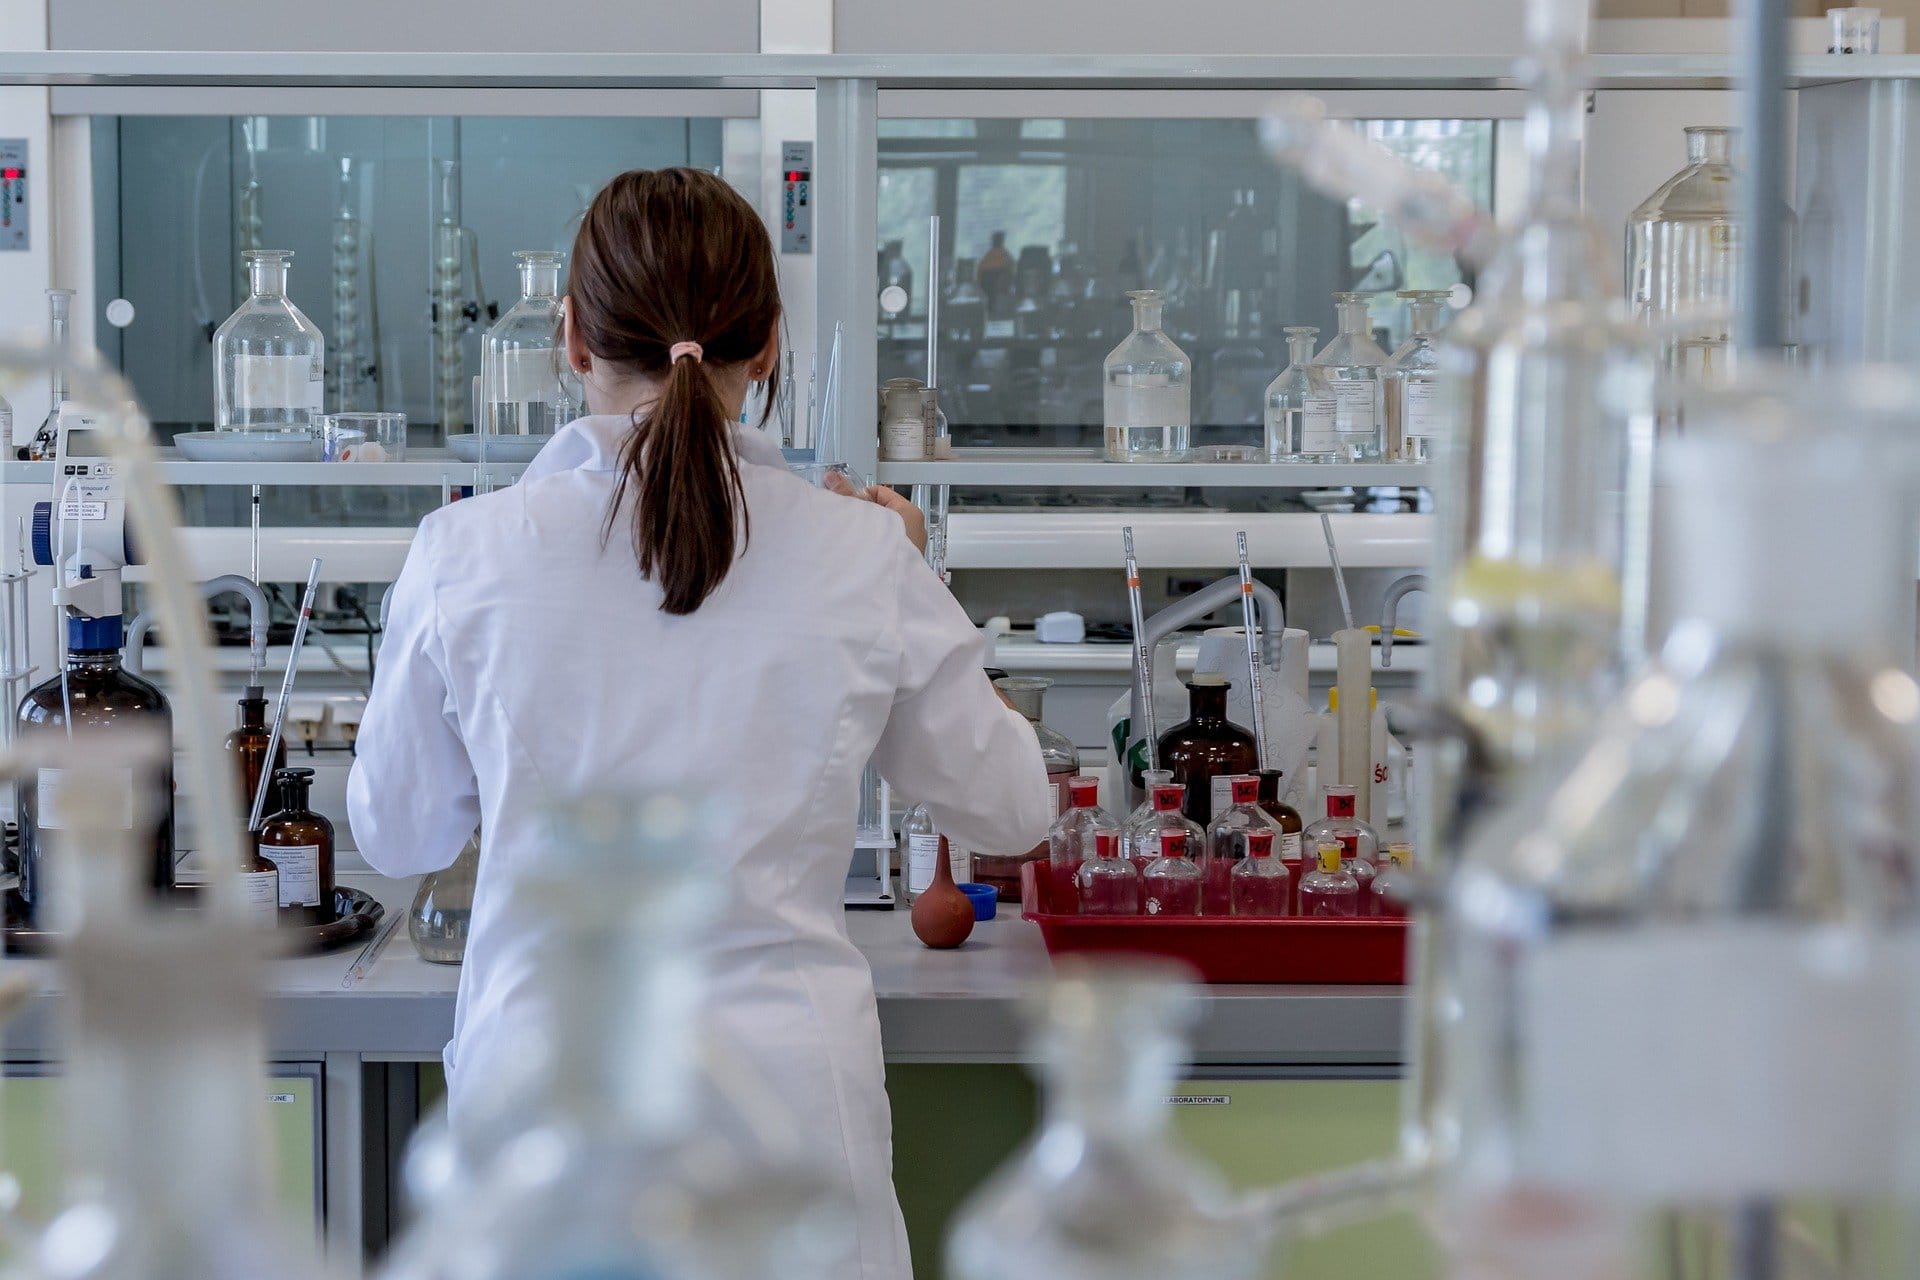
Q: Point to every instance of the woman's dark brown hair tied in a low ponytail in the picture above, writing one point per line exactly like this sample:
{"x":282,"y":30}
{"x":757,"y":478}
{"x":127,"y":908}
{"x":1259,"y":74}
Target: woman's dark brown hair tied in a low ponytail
{"x":669,"y":258}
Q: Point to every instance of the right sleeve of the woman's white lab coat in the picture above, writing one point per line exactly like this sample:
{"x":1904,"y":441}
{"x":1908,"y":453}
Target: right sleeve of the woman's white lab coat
{"x":951,"y":744}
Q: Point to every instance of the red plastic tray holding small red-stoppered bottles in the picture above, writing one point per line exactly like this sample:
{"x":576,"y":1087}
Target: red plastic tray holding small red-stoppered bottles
{"x":1224,"y":949}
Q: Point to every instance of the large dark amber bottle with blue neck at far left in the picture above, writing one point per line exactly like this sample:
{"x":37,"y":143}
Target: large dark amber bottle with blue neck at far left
{"x":101,"y":696}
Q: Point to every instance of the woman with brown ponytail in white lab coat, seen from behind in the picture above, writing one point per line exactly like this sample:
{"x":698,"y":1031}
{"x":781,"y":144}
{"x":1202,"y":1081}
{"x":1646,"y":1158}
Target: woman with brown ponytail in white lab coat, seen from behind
{"x":661,"y":605}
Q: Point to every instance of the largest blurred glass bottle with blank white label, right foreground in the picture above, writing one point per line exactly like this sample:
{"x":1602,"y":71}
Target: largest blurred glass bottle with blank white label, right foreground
{"x":1723,"y":884}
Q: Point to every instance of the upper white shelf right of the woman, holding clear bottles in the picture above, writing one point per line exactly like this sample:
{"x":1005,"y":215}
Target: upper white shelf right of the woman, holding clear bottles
{"x":1090,"y":471}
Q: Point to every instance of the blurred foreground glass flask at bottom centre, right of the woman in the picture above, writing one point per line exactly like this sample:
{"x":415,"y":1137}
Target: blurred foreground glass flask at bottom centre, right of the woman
{"x":1103,"y":1191}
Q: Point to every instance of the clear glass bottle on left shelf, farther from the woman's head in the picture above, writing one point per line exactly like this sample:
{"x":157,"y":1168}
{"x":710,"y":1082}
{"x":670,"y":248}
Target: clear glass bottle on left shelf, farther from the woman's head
{"x":270,"y":360}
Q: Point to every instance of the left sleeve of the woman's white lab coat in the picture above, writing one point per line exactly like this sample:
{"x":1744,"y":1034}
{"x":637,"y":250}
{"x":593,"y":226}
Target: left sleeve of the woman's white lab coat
{"x":412,"y":795}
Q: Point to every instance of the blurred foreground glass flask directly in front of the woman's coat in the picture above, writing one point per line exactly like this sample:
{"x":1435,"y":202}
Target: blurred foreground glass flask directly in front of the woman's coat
{"x":604,"y":1158}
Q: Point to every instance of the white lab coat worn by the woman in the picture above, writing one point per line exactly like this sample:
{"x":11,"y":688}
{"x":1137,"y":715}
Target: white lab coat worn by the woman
{"x":523,"y":659}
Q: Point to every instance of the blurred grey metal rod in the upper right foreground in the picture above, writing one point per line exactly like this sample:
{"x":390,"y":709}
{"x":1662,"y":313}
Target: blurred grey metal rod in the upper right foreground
{"x":1762,"y":60}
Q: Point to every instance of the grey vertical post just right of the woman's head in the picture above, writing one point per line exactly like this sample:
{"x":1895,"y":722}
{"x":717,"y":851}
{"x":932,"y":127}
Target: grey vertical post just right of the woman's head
{"x":848,"y":210}
